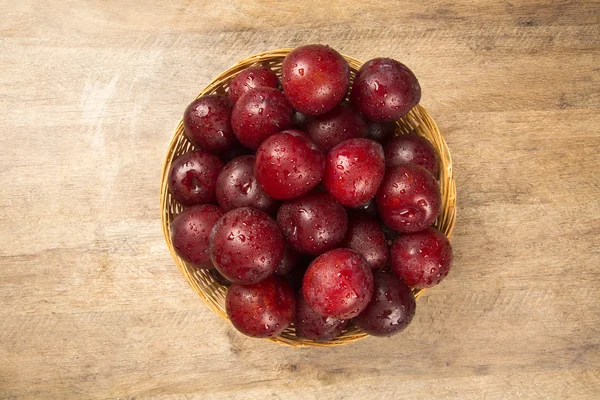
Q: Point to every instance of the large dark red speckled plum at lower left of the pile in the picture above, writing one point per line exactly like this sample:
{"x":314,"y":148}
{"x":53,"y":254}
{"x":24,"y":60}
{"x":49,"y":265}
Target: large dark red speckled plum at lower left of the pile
{"x":246,"y":246}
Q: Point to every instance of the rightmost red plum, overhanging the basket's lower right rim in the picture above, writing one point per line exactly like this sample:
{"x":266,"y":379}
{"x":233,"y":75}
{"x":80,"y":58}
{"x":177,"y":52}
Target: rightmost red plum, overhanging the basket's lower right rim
{"x":422,"y":259}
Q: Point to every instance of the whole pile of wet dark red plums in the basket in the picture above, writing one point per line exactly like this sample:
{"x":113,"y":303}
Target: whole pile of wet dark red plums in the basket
{"x":306,"y":205}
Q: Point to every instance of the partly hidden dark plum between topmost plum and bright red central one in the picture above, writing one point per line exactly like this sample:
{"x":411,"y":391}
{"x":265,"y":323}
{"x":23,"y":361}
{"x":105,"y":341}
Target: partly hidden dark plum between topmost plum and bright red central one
{"x":335,"y":126}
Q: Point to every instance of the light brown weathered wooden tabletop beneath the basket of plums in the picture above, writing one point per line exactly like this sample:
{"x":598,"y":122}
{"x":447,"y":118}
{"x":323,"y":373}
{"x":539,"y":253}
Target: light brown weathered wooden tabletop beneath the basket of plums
{"x":92,"y":305}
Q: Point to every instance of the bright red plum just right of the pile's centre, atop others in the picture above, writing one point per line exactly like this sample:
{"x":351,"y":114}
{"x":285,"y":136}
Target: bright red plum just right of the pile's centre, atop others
{"x":353,"y":171}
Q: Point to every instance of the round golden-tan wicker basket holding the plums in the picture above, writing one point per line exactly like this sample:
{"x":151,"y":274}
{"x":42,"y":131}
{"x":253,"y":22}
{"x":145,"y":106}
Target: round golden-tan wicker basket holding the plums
{"x":211,"y":292}
